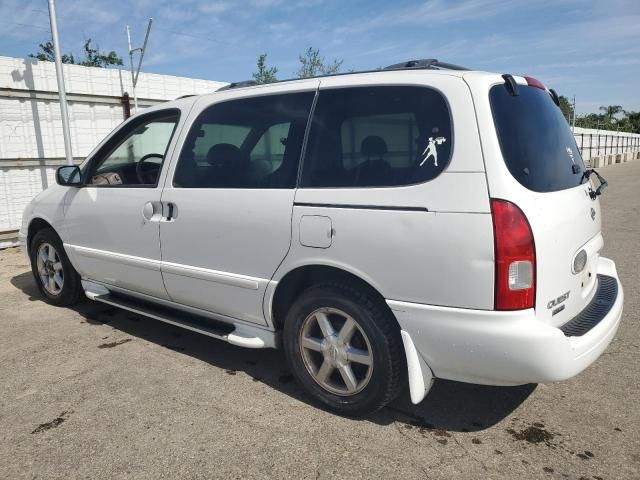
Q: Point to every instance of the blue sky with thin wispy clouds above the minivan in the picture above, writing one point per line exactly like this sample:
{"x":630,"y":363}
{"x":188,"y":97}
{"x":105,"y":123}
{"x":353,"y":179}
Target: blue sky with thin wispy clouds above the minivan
{"x":590,"y":49}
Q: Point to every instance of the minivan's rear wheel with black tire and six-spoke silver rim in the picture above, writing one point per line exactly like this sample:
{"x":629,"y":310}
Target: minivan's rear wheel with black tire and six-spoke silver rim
{"x":375,"y":379}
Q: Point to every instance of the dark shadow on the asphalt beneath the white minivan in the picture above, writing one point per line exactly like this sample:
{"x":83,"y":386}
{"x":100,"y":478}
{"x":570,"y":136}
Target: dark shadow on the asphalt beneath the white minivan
{"x":450,"y":406}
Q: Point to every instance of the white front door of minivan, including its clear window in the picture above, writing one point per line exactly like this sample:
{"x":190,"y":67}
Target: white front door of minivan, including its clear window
{"x":112,"y":221}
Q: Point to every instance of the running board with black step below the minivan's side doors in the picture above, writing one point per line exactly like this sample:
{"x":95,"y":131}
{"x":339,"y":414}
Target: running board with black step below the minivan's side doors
{"x":236,"y":334}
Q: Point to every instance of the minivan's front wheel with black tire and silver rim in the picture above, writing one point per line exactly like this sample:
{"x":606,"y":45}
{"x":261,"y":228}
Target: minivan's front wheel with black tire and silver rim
{"x":56,"y":278}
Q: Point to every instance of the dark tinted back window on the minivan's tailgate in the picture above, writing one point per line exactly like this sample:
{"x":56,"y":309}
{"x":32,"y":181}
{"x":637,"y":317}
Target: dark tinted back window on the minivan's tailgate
{"x":536,"y":141}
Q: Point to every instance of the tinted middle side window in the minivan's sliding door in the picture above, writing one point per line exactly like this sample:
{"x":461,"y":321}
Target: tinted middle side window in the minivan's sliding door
{"x":248,"y":143}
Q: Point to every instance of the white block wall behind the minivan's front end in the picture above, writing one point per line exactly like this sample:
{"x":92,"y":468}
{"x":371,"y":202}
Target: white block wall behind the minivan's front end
{"x":31,"y":142}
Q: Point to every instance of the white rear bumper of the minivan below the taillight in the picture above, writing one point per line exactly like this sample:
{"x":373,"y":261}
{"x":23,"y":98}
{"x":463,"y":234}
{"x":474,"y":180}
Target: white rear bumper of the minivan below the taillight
{"x":504,"y":348}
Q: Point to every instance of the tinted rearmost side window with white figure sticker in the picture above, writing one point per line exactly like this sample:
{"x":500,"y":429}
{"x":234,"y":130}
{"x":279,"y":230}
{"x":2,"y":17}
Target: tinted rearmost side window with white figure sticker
{"x":377,"y":137}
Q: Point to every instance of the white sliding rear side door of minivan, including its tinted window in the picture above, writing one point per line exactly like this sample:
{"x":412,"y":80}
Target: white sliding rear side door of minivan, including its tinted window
{"x":232,"y":197}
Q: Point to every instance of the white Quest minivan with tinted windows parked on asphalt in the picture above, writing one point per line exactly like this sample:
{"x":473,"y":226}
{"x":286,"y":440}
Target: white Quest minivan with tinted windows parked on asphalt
{"x":384,"y":228}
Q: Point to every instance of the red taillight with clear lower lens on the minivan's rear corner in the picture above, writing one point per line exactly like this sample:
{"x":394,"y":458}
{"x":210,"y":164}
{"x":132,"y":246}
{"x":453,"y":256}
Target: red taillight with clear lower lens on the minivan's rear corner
{"x":515,"y":256}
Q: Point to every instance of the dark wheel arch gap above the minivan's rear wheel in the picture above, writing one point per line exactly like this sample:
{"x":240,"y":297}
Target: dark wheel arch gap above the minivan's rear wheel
{"x":296,"y":280}
